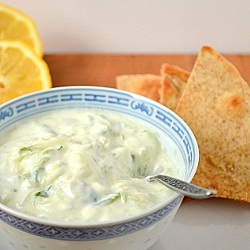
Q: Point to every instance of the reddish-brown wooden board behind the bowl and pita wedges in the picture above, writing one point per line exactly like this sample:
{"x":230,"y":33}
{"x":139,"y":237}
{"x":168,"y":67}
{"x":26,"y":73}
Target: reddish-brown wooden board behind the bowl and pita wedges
{"x":101,"y":70}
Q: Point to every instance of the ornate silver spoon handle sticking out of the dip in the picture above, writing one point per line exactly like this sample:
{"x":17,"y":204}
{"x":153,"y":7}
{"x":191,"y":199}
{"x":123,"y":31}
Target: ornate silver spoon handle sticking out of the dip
{"x":183,"y":187}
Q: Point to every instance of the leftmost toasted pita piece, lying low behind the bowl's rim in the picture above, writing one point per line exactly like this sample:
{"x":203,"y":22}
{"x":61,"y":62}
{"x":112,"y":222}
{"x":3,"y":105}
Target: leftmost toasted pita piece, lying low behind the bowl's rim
{"x":147,"y":85}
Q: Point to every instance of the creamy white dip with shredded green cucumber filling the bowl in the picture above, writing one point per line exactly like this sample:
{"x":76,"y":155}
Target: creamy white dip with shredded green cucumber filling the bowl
{"x":81,"y":165}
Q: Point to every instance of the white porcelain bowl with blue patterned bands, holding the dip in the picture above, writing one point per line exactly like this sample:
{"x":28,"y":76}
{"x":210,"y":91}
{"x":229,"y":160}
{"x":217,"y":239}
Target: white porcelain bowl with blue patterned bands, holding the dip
{"x":139,"y":231}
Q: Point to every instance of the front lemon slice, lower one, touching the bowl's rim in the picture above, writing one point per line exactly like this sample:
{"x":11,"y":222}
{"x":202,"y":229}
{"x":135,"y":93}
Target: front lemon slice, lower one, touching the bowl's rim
{"x":21,"y":70}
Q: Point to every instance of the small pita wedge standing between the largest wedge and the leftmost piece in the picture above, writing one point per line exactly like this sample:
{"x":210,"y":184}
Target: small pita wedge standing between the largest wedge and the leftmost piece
{"x":173,"y":82}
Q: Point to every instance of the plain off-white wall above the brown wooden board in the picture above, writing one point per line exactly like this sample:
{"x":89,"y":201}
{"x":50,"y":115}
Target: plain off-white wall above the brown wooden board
{"x":140,"y":26}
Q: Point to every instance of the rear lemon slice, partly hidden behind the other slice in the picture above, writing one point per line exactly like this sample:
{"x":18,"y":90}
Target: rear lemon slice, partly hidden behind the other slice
{"x":16,"y":25}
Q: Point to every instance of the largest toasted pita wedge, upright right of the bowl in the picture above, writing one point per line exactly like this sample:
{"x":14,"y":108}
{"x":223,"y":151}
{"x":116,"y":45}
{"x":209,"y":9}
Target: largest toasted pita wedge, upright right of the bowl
{"x":216,"y":106}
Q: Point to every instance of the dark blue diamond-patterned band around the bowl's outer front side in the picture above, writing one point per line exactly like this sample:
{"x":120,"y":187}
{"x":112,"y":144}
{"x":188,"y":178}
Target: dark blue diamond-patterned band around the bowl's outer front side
{"x":90,"y":233}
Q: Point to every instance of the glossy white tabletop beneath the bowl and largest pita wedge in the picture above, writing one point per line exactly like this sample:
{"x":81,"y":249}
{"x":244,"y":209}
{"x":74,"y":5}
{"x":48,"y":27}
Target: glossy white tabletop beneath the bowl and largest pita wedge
{"x":214,"y":224}
